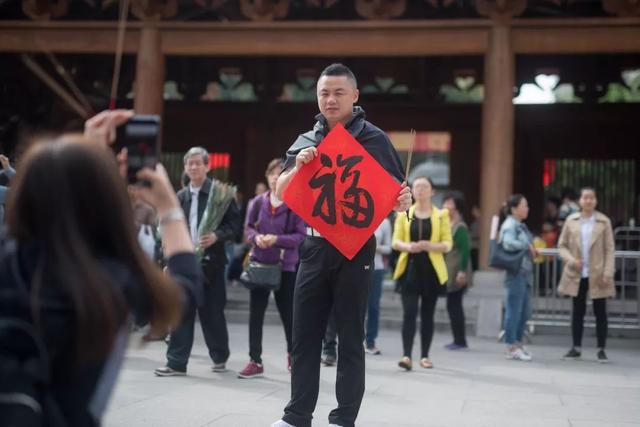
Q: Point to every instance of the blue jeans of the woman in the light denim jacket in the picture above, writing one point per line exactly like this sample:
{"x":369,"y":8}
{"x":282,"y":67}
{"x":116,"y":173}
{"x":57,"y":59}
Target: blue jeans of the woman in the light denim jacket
{"x":517,"y":307}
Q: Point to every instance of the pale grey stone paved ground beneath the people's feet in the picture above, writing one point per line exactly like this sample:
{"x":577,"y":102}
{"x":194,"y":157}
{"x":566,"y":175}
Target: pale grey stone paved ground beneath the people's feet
{"x":470,"y":388}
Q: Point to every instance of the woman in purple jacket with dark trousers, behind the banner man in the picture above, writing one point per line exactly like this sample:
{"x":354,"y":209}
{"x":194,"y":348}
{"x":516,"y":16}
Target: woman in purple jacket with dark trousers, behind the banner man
{"x":275,"y":233}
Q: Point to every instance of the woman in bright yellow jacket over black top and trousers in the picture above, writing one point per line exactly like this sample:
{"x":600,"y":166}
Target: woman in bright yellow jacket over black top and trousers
{"x":422,"y":273}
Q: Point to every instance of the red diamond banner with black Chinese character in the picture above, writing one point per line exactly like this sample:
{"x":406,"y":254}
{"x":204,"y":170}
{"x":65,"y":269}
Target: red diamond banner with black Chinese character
{"x":343,"y":193}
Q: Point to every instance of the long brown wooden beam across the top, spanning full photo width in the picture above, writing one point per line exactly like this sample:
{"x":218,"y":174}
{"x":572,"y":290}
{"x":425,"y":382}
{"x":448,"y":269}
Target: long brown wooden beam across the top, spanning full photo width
{"x":367,"y":38}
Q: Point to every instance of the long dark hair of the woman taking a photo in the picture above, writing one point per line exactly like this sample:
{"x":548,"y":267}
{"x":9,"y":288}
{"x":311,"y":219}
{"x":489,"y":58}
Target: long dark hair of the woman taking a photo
{"x":68,"y":197}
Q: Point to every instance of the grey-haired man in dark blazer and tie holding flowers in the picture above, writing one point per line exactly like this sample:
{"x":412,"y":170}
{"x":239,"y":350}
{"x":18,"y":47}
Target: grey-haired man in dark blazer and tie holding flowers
{"x":193,"y":199}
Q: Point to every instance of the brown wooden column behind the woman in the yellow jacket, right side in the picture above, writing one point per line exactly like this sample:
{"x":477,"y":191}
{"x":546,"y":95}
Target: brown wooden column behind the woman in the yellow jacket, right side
{"x":496,"y":179}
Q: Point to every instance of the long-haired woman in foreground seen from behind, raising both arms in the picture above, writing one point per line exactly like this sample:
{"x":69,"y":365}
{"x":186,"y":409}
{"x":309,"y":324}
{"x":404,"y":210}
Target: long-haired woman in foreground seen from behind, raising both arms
{"x":72,"y":274}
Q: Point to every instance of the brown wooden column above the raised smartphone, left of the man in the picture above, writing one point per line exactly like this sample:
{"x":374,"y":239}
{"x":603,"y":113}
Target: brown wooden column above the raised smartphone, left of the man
{"x":149,"y":87}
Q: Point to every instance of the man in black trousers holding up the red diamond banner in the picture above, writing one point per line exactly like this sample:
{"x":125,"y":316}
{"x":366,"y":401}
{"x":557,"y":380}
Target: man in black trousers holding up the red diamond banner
{"x":326,"y":277}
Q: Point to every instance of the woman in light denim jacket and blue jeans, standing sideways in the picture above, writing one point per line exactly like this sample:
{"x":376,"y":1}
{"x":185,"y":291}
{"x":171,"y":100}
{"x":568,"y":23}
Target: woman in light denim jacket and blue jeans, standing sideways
{"x":515,"y":237}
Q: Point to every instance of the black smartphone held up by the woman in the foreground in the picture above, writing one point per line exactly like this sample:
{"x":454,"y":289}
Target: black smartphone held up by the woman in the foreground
{"x":141,"y":138}
